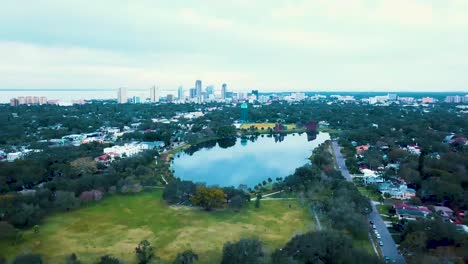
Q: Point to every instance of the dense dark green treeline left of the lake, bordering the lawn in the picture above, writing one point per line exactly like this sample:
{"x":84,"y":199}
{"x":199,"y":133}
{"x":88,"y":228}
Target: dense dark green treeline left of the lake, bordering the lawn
{"x":66,"y":176}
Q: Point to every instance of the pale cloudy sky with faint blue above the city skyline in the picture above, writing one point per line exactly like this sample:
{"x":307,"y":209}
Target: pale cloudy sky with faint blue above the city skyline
{"x":270,"y":45}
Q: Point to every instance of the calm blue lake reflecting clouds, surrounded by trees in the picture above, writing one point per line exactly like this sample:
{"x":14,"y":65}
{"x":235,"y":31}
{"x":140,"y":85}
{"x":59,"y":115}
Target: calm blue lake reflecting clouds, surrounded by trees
{"x":245,"y":161}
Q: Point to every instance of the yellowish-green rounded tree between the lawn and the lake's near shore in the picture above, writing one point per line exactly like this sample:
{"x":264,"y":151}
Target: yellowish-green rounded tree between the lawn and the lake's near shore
{"x":209,"y":198}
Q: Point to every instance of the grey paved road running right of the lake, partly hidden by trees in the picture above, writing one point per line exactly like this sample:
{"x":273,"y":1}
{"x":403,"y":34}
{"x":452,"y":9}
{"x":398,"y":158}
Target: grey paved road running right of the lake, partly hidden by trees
{"x":389,"y":248}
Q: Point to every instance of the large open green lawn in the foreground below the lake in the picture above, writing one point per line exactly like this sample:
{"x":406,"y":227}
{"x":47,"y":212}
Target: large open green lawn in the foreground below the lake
{"x":118,"y":223}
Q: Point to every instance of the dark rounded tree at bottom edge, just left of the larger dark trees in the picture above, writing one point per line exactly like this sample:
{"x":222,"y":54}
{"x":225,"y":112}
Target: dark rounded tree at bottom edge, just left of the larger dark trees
{"x":246,"y":251}
